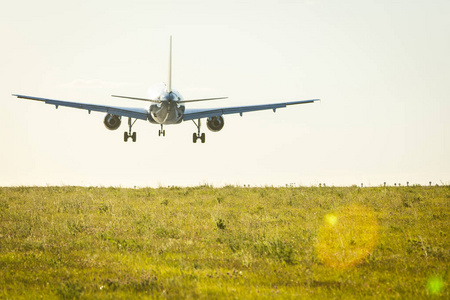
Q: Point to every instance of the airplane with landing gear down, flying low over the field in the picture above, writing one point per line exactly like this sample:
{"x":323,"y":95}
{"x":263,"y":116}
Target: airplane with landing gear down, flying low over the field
{"x":167,"y":108}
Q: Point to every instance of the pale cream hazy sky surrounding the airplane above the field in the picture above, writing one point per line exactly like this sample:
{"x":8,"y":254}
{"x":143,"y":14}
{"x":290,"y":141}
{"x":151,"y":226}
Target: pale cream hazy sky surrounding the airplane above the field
{"x":381,"y":69}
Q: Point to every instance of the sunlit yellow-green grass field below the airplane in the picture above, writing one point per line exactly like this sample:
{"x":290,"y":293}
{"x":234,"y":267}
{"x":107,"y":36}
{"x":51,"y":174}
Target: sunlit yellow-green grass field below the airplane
{"x":230,"y":242}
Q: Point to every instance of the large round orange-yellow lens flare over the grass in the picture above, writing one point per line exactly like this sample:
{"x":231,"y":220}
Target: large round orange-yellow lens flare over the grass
{"x":347,"y":236}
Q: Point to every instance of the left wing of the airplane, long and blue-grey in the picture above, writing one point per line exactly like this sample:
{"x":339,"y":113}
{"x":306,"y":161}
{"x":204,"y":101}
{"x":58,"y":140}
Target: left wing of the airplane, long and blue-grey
{"x":132,"y":112}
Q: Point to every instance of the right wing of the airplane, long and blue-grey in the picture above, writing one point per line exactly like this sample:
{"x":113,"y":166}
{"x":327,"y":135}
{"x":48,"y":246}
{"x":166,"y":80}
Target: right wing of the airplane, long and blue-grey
{"x":192,"y":114}
